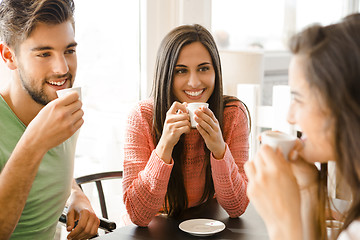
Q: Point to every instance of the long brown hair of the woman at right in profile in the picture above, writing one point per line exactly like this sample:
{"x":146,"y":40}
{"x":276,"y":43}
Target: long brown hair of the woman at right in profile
{"x":332,"y":67}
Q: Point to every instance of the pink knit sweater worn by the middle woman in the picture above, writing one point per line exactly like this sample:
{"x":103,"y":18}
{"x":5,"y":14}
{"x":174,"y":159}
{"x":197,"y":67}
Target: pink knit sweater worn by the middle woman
{"x":146,"y":176}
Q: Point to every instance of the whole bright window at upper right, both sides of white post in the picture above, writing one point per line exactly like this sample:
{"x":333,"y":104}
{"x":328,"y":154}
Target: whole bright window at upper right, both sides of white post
{"x":268,"y":24}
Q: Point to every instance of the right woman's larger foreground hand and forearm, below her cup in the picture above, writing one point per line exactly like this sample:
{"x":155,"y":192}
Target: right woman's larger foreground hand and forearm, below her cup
{"x":274,"y":192}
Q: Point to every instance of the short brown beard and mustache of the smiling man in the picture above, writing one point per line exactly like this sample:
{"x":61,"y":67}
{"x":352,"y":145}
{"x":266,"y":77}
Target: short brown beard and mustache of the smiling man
{"x":39,"y":96}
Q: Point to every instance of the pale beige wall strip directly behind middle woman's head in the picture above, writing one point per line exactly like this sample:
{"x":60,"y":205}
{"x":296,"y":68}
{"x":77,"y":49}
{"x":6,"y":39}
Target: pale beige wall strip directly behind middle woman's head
{"x":158,"y":18}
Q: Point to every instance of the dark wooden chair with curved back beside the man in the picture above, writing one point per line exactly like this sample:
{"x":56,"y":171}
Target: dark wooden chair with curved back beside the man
{"x":105,"y":224}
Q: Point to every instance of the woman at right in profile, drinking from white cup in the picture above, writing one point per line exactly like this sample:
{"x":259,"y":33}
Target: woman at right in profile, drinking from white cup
{"x":324,"y":78}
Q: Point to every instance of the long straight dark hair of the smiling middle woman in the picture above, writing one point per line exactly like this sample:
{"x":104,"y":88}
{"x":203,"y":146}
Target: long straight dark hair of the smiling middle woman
{"x":176,"y":198}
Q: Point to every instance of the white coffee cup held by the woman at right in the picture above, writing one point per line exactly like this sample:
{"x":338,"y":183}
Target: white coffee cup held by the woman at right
{"x":278,"y":140}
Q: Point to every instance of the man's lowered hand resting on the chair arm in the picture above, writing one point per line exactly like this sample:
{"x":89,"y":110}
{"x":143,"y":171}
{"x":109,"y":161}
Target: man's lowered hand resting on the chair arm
{"x":80,"y":210}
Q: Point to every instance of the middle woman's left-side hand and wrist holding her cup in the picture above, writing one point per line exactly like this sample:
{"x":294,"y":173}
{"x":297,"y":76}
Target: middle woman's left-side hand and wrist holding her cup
{"x":177,"y":122}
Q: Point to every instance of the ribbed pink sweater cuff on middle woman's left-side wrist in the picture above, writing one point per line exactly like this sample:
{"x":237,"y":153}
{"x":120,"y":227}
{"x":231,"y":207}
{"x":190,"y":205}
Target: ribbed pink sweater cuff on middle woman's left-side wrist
{"x":157,"y":168}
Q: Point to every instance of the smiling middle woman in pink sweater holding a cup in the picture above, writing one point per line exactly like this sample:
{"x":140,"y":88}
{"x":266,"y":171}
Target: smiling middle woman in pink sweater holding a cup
{"x":168,"y":165}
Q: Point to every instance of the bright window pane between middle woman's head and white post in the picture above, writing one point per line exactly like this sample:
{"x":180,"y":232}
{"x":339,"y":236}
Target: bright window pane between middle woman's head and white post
{"x":240,"y":24}
